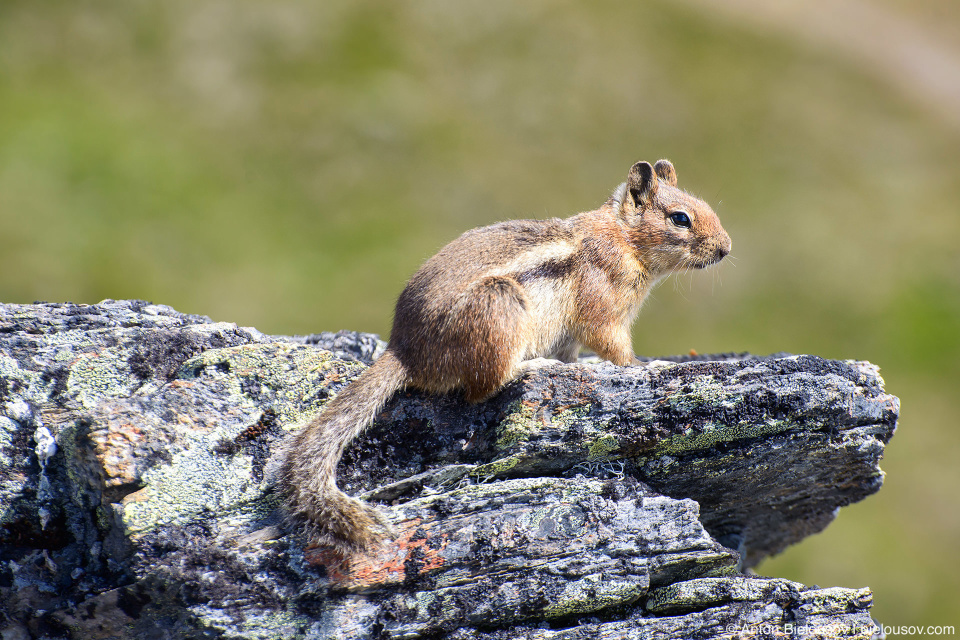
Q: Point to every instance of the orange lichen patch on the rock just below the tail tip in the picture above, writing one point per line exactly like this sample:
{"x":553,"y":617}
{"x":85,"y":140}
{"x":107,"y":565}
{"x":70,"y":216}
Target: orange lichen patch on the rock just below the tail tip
{"x":412,"y":553}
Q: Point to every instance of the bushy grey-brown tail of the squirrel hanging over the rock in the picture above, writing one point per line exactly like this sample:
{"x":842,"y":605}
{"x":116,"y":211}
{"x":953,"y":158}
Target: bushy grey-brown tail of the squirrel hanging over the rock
{"x":309,"y":472}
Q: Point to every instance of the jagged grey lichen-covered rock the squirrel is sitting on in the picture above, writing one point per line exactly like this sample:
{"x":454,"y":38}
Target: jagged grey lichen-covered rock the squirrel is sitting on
{"x":585,"y":500}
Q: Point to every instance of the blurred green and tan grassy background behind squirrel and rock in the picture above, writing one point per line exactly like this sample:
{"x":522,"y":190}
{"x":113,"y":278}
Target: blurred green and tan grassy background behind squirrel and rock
{"x":287,"y":165}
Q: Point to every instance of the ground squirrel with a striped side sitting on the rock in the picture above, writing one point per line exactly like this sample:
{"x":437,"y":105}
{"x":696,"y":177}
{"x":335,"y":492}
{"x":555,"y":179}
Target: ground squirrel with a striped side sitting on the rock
{"x":489,"y":302}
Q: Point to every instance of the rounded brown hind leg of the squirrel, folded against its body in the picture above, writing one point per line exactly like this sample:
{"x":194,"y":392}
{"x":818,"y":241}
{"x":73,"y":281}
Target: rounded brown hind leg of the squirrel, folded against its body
{"x":492,"y":323}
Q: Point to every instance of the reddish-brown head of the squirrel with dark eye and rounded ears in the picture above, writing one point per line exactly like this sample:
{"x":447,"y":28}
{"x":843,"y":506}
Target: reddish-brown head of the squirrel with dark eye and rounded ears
{"x":669,"y":229}
